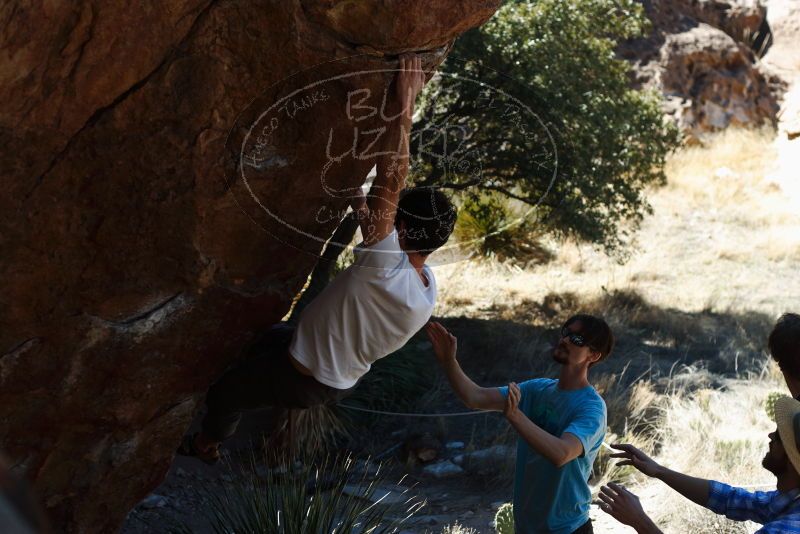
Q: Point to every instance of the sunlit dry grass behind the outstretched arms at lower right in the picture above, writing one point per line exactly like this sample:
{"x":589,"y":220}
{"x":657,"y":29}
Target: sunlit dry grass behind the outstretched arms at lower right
{"x":719,"y":434}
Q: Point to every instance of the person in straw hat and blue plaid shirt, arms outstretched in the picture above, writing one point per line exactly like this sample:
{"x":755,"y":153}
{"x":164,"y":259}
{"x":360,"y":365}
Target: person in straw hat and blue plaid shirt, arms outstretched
{"x":777,"y":511}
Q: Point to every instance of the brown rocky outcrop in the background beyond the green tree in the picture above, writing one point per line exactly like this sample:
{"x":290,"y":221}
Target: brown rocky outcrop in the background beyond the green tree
{"x":704,"y":56}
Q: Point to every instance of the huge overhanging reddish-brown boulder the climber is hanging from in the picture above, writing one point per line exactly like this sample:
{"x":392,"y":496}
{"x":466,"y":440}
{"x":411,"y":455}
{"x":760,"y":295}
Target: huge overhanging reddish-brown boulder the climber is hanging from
{"x":132,"y":268}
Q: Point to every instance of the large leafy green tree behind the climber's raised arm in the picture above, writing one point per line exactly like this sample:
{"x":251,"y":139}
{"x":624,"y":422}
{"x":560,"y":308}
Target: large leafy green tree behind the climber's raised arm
{"x":535,"y":106}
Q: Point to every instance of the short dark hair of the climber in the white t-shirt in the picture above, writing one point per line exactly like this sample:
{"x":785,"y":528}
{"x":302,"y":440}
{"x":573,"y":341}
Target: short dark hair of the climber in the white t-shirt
{"x":428,"y":216}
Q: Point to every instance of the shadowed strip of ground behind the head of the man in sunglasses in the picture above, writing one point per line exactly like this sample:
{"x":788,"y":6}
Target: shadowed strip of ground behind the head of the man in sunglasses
{"x":652,"y":342}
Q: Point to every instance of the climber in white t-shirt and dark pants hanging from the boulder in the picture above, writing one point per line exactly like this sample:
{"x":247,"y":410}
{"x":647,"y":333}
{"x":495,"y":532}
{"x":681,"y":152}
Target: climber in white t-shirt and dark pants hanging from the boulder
{"x":368,"y":311}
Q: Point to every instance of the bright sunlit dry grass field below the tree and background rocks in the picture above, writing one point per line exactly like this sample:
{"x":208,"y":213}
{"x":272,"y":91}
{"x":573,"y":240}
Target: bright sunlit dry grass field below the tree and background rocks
{"x":724,"y":235}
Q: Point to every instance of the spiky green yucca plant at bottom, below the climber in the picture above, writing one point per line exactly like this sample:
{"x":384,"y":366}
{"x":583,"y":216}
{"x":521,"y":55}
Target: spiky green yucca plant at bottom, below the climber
{"x":329,"y":496}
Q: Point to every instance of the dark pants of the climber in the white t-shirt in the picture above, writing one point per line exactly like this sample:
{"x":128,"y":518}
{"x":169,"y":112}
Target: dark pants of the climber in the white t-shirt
{"x":266,"y":378}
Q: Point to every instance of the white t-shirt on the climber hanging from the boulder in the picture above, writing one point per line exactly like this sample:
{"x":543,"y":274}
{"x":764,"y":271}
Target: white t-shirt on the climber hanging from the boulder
{"x":368,"y":311}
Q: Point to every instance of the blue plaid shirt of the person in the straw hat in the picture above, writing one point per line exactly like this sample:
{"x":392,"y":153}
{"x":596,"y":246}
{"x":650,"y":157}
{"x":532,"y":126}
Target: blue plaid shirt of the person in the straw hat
{"x":777,"y":512}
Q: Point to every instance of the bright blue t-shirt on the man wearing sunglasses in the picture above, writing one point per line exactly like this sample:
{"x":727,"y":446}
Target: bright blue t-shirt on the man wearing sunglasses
{"x":549,"y":498}
